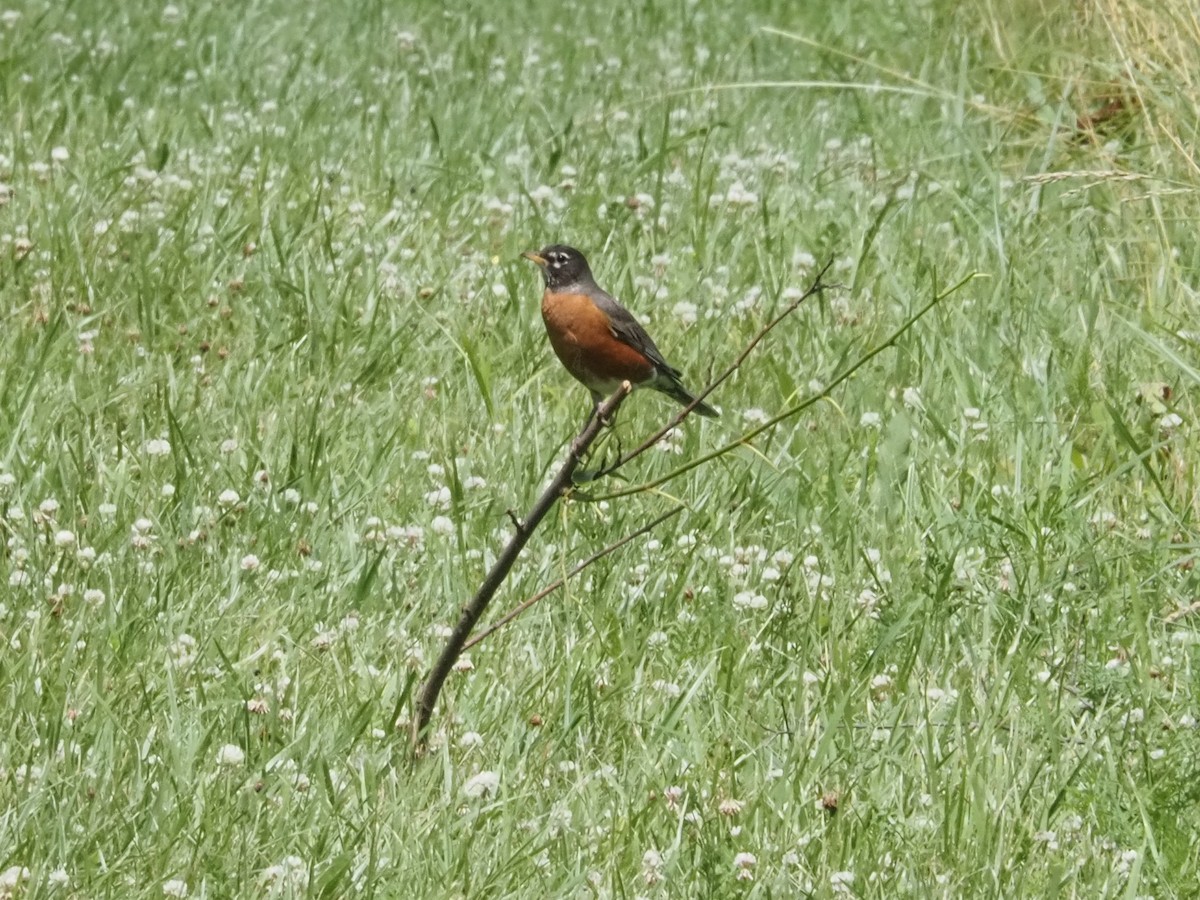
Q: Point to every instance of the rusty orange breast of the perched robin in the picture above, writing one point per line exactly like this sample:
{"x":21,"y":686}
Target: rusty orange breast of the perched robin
{"x":581,"y":335}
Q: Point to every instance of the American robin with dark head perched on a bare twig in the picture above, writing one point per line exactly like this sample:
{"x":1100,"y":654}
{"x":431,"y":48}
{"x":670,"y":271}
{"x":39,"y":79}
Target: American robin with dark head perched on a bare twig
{"x":596,"y":338}
